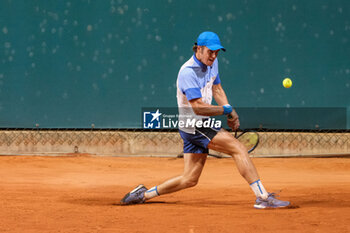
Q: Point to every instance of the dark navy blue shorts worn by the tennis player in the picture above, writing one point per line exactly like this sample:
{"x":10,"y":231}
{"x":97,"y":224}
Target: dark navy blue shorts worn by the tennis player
{"x":198,"y":143}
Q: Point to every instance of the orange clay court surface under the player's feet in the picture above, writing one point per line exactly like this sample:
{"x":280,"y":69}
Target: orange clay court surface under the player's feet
{"x":82,"y":193}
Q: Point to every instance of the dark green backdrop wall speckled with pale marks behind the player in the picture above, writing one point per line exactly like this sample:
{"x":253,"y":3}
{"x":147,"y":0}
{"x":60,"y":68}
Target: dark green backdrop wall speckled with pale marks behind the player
{"x":71,"y":64}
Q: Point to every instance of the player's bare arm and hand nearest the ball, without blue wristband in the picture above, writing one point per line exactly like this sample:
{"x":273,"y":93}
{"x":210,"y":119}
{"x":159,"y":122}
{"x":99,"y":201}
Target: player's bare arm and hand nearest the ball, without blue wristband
{"x":221,"y":99}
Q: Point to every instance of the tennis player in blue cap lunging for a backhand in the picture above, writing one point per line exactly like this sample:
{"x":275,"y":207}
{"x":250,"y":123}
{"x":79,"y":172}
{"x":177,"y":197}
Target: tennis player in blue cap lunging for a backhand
{"x":198,"y":81}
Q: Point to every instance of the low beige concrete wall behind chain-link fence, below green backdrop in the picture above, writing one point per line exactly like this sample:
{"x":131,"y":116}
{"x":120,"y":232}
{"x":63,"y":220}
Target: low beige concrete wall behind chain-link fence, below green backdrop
{"x":129,"y":143}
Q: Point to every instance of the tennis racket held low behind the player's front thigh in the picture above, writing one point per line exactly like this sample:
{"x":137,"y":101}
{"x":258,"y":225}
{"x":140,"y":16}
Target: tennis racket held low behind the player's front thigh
{"x":249,"y":138}
